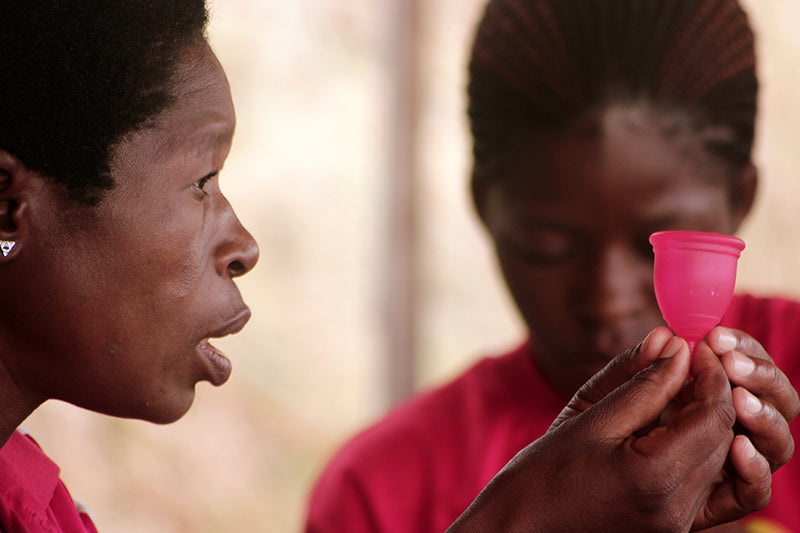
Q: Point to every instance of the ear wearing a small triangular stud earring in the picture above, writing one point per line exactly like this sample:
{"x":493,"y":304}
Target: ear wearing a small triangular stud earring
{"x":16,"y":187}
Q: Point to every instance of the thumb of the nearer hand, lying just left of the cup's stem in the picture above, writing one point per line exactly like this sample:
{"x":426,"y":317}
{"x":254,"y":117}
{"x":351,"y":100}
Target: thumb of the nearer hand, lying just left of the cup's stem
{"x":638,"y":402}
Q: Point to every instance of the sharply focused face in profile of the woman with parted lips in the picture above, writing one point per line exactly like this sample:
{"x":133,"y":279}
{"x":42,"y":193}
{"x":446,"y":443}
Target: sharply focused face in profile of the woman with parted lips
{"x":130,"y":290}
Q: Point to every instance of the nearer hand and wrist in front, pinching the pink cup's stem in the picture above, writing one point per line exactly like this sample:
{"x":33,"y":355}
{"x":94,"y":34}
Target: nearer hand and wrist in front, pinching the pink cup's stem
{"x":636,"y":449}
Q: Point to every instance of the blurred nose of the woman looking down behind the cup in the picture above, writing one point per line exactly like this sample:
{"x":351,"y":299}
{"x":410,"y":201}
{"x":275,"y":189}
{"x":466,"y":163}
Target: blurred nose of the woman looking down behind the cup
{"x":617,"y":283}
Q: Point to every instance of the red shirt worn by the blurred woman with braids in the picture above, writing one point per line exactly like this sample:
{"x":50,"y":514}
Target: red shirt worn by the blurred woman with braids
{"x":418,"y":469}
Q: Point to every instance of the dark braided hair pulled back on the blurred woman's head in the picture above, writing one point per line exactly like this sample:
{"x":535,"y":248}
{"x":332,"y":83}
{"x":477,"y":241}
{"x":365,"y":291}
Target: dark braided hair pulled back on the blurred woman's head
{"x":538,"y":64}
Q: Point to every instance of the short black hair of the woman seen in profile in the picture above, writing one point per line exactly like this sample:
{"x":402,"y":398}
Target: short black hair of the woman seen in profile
{"x":77,"y":75}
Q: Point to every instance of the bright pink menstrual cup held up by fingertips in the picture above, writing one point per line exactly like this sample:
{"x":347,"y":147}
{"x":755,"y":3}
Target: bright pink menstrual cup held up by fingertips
{"x":694,"y":277}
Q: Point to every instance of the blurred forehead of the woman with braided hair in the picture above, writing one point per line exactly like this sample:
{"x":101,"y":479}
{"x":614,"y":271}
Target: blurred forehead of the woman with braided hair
{"x":622,"y":150}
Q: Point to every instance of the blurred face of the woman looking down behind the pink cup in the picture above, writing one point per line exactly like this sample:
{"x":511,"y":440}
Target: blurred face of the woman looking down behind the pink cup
{"x":571,"y":220}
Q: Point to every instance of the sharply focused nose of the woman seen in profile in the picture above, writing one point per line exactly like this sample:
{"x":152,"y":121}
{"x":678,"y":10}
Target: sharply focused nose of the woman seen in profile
{"x":237,"y":252}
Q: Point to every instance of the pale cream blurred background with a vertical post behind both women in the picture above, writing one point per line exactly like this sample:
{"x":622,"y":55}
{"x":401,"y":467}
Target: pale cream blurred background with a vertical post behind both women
{"x":338,"y":102}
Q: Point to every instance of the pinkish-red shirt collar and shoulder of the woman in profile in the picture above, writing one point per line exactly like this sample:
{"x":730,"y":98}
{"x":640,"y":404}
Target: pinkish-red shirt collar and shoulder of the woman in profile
{"x":32,"y":497}
